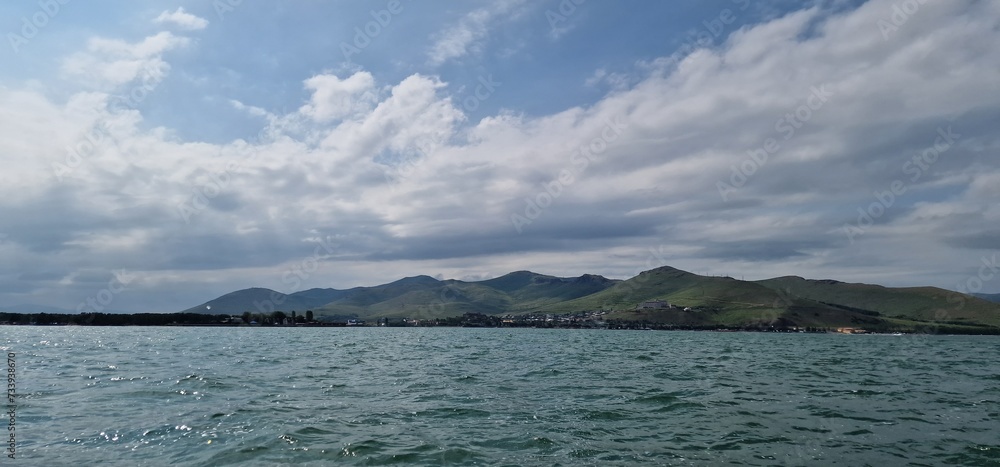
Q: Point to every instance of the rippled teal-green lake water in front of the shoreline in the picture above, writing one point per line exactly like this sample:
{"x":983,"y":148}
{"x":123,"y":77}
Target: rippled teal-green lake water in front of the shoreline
{"x":374,"y":396}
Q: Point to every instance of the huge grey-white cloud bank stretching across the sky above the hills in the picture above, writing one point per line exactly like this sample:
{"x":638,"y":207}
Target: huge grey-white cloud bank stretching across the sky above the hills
{"x":402,"y":182}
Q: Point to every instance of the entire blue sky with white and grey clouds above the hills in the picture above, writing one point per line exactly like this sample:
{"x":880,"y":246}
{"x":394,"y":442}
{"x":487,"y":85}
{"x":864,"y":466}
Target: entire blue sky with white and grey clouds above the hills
{"x":155,"y":155}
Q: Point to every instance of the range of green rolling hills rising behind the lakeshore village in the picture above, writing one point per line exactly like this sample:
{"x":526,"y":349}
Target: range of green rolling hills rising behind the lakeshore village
{"x":663,"y":295}
